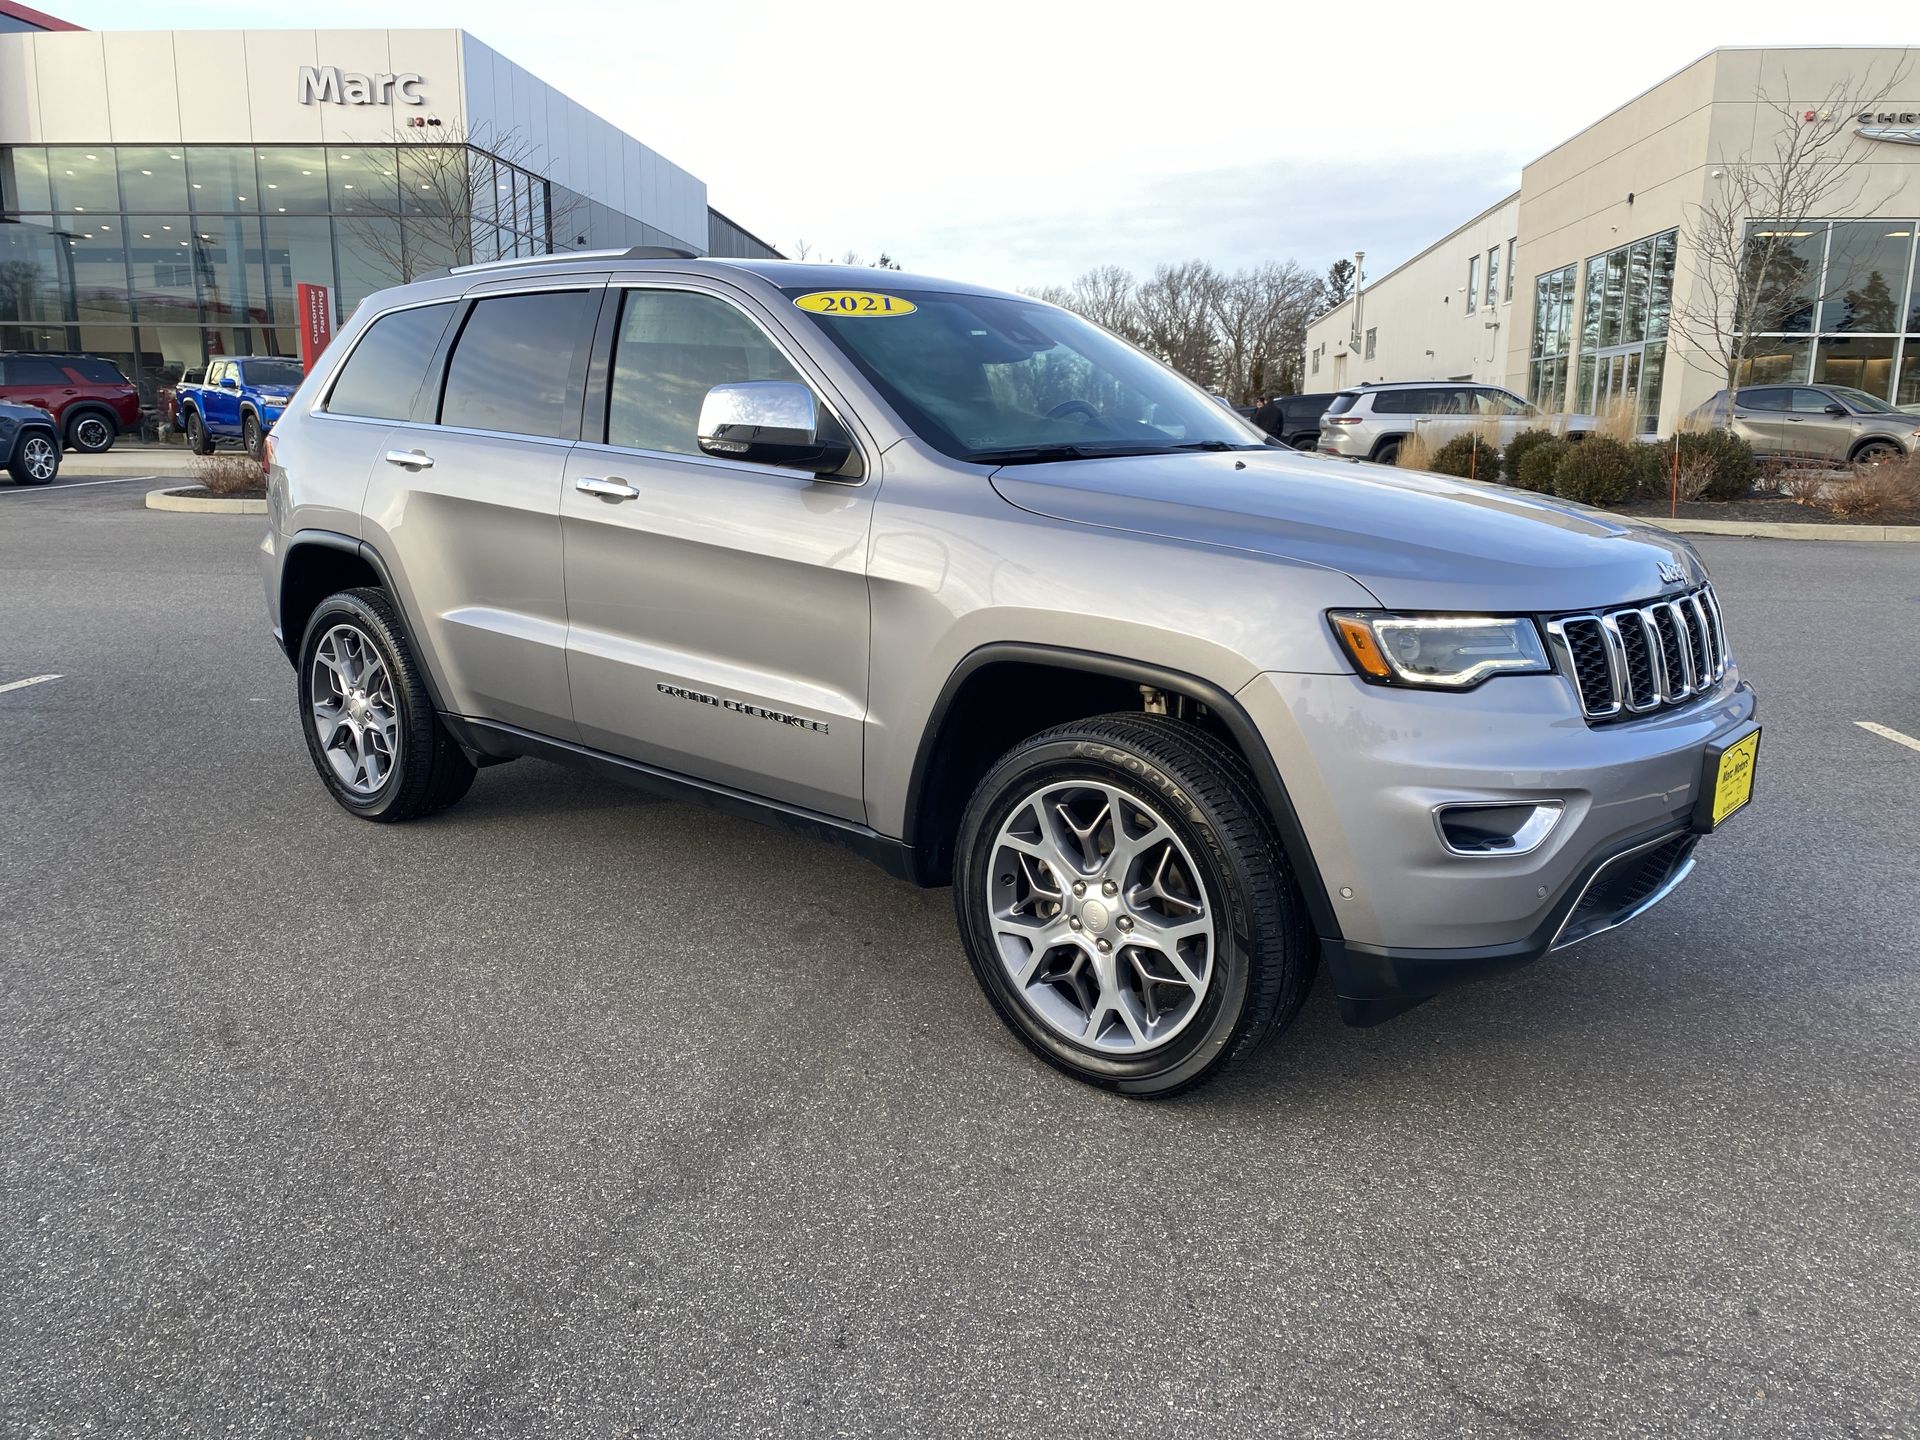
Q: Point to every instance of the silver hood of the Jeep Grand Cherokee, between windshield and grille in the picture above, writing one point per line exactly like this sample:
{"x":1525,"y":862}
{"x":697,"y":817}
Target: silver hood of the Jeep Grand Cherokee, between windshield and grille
{"x":1420,"y":542}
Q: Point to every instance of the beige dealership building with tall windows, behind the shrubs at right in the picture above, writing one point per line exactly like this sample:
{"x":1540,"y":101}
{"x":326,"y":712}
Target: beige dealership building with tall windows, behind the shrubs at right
{"x":1568,"y":291}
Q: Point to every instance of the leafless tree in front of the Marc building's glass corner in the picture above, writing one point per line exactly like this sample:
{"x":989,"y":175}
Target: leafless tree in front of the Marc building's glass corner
{"x":439,"y":201}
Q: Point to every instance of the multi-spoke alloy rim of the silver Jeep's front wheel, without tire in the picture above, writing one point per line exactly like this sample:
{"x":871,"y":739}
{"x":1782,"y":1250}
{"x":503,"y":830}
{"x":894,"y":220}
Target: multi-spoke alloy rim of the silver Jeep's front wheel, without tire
{"x":1101,"y":919}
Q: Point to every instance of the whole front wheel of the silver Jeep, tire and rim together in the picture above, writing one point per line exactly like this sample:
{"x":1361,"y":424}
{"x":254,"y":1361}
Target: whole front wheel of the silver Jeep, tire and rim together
{"x":1126,"y":905}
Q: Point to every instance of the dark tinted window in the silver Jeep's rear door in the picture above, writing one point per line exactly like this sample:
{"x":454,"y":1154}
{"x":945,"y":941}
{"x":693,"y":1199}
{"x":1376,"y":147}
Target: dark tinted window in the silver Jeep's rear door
{"x":514,"y":366}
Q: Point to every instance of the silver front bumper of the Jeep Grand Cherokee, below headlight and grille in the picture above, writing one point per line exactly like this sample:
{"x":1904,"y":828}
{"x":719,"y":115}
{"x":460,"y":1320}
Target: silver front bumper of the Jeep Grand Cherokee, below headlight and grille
{"x":1368,"y":767}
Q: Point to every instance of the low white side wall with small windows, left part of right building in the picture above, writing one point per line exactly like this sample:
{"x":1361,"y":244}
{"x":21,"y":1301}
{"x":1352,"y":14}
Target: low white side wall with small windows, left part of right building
{"x":1420,"y":318}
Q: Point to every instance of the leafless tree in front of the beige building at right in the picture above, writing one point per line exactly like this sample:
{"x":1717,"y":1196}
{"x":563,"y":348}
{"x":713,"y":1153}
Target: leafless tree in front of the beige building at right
{"x":1752,"y":272}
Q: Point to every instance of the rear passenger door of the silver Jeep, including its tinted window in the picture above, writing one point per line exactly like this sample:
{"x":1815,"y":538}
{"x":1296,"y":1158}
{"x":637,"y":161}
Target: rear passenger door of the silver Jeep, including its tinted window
{"x":466,"y":500}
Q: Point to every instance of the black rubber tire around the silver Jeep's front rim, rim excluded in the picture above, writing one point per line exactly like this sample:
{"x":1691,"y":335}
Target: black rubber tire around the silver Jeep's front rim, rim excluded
{"x":1209,"y":1038}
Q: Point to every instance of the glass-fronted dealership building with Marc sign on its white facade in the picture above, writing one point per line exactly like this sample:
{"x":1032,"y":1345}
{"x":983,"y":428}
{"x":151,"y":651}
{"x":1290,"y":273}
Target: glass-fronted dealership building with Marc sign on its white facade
{"x":166,"y":193}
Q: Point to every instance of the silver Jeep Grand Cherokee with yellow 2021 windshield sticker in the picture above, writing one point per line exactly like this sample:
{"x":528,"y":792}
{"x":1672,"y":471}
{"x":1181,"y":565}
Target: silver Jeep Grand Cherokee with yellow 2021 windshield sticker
{"x":969,"y":585}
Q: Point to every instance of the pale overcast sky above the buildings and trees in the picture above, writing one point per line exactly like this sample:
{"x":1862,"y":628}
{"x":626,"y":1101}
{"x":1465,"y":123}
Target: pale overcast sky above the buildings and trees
{"x":1020,"y":143}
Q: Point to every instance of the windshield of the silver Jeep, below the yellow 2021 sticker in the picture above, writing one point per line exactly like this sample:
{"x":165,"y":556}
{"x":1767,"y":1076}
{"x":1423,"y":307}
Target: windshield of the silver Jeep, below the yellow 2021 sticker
{"x":1007,"y":381}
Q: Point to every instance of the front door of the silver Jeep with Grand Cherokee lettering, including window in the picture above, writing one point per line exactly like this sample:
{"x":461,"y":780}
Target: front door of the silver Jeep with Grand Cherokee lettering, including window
{"x":717,"y":612}
